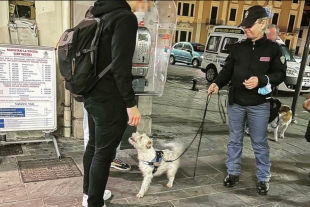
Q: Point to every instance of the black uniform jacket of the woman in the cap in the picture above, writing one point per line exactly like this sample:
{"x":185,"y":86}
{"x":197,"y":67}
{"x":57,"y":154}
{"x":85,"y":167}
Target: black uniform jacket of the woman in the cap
{"x":247,"y":59}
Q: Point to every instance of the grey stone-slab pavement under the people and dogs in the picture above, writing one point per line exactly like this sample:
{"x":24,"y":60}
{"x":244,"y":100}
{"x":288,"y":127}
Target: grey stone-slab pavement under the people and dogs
{"x":176,"y":118}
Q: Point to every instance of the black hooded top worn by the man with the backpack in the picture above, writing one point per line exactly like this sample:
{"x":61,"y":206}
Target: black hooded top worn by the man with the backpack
{"x":116,"y":45}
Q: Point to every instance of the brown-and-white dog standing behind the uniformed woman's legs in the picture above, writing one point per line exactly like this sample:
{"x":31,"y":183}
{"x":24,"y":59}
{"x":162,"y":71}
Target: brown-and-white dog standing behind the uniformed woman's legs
{"x":285,"y":118}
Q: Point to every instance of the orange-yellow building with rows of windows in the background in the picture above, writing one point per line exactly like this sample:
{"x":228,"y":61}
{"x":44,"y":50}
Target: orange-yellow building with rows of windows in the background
{"x":197,"y":18}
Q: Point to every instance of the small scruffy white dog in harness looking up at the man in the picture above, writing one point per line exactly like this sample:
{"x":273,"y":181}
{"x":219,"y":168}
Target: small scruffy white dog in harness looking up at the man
{"x":153,"y":163}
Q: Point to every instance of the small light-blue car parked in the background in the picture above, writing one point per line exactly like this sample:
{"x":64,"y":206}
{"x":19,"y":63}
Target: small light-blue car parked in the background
{"x":190,"y":53}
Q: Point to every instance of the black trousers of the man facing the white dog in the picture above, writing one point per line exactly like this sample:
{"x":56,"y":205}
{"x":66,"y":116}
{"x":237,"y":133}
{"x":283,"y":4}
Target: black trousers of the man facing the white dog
{"x":107,"y":123}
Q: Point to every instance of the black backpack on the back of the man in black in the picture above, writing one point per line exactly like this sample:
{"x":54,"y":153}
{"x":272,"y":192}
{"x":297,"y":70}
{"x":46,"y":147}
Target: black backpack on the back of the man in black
{"x":77,"y":55}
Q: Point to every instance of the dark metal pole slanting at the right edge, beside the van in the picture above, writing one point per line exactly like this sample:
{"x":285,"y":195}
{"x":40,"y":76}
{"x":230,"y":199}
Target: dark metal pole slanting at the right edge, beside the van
{"x":300,"y":75}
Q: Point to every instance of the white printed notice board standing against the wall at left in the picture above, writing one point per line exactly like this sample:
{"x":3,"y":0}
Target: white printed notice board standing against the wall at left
{"x":27,"y":88}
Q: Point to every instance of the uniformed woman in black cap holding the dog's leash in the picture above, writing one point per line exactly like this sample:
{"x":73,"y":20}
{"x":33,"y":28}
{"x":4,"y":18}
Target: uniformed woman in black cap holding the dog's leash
{"x":252,"y":66}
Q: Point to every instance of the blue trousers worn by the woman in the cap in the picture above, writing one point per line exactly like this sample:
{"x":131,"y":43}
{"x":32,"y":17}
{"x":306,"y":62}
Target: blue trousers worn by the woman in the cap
{"x":257,"y":117}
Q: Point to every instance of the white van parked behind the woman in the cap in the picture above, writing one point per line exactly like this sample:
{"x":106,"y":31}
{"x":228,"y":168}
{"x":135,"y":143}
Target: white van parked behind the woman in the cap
{"x":219,"y":44}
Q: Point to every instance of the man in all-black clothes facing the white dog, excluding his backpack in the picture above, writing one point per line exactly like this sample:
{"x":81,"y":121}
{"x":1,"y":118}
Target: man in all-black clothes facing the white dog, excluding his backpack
{"x":111,"y":103}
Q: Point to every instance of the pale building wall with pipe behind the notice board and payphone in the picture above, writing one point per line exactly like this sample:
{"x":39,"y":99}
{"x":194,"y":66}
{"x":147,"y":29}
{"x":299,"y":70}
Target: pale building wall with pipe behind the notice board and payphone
{"x":42,"y":23}
